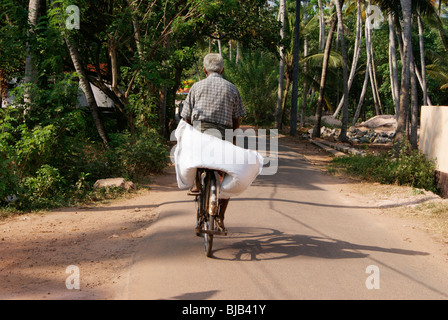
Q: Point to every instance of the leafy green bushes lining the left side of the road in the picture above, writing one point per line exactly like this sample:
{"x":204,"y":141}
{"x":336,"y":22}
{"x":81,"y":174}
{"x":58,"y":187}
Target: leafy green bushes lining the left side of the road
{"x":45,"y":166}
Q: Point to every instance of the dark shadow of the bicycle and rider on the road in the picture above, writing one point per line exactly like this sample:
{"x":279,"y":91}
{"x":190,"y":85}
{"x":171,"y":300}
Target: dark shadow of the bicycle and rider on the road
{"x":259,"y":244}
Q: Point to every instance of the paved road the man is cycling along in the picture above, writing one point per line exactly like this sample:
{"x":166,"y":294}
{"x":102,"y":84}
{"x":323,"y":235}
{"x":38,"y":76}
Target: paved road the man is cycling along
{"x":292,"y":236}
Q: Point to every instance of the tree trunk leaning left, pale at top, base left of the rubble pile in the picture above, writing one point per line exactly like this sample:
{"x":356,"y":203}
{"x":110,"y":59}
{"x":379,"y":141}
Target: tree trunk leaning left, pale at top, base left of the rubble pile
{"x":343,"y":134}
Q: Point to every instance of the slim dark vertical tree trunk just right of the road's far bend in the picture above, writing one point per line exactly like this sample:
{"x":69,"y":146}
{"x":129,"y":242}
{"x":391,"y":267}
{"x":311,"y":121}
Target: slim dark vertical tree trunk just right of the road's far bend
{"x":295,"y":81}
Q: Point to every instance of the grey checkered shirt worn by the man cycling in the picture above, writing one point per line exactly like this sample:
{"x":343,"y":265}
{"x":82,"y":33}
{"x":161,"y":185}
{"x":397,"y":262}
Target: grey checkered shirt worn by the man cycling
{"x":213,"y":100}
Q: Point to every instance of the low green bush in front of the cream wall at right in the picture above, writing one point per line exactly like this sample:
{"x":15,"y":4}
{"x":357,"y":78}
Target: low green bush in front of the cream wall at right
{"x":409,"y":167}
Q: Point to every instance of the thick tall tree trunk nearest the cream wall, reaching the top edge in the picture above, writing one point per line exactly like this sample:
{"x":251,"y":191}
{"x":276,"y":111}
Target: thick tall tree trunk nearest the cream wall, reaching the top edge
{"x":400,"y":134}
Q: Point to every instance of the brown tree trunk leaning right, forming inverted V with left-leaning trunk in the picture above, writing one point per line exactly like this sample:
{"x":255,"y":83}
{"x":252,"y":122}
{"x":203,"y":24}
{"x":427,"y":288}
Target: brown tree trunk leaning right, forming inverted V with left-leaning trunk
{"x":323,"y":79}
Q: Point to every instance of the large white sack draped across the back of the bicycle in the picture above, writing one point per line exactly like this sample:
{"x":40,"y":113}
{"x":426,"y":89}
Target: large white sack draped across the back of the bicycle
{"x":200,"y":150}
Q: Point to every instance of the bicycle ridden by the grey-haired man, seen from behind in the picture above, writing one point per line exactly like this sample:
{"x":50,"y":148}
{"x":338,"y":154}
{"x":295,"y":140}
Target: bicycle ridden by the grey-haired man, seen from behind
{"x":207,"y":207}
